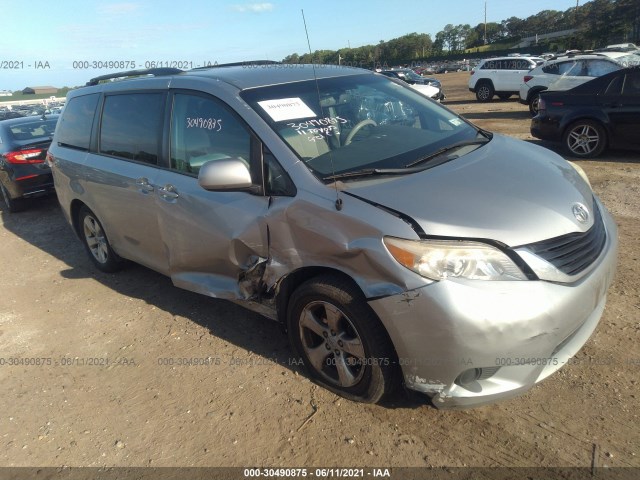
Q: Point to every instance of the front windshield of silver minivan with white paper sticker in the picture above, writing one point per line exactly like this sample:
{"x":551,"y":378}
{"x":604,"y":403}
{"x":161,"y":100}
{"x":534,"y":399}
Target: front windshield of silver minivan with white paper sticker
{"x":358,"y":122}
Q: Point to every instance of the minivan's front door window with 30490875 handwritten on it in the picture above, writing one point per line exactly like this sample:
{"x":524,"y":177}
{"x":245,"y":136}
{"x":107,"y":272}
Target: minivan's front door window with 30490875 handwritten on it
{"x":203,"y":130}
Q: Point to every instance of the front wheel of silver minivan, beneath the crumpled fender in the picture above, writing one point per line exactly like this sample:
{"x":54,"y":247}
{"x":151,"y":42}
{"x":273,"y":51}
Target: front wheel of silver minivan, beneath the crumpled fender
{"x":340,"y":340}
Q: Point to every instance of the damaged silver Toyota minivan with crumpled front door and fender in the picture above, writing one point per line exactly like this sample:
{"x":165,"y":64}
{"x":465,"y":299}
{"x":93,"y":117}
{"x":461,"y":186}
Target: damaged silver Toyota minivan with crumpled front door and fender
{"x":398,"y":243}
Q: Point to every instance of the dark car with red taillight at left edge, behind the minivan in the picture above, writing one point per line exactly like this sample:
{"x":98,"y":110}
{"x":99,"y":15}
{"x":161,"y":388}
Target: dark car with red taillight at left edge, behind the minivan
{"x":23,"y":149}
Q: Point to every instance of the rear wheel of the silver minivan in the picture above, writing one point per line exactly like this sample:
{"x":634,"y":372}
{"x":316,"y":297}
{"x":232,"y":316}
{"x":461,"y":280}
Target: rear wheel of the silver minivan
{"x":96,"y":243}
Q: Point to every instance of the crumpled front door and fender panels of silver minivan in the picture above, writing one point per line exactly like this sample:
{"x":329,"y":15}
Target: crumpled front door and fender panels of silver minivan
{"x":238,"y":246}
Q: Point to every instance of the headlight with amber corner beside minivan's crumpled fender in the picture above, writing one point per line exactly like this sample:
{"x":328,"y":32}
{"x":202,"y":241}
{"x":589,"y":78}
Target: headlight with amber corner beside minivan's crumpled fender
{"x":442,"y":259}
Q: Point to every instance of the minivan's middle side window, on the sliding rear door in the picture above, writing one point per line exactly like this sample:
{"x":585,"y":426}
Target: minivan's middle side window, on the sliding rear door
{"x":131,"y":126}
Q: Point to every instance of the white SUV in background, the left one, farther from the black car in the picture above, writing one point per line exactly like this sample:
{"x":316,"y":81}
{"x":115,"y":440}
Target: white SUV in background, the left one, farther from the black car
{"x":500,"y":76}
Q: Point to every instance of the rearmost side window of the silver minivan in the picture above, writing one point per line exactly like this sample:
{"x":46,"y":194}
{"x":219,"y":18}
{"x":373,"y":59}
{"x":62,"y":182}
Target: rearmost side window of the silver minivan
{"x":74,"y":129}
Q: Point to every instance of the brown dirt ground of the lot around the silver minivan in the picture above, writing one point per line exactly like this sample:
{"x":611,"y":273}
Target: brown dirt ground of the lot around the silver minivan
{"x":106,"y":384}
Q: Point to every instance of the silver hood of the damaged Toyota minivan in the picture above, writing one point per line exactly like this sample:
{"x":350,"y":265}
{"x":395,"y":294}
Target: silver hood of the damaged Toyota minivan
{"x":507,"y":190}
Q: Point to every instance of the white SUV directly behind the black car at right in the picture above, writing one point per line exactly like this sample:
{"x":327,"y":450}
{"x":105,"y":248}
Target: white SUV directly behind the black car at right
{"x":568,"y":71}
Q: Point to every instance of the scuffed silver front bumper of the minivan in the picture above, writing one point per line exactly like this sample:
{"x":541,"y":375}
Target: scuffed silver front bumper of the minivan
{"x":517,"y":333}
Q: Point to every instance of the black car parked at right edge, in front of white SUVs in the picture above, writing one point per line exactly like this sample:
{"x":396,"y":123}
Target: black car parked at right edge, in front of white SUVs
{"x":604,"y":112}
